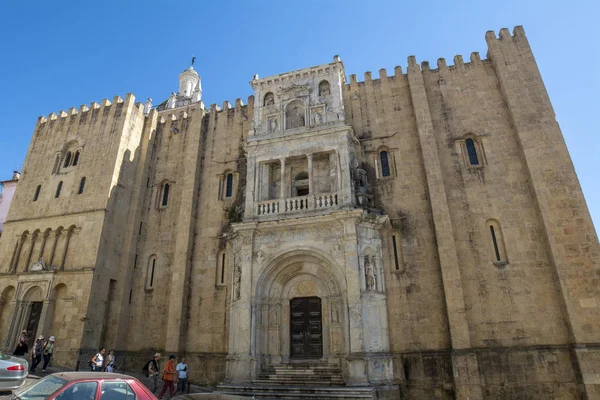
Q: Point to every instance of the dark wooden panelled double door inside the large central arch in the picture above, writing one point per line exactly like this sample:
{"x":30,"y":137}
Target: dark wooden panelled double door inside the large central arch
{"x":306,"y":329}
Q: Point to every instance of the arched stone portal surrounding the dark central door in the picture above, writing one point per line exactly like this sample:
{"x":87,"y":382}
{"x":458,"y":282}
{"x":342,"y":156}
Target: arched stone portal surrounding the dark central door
{"x":299,"y":309}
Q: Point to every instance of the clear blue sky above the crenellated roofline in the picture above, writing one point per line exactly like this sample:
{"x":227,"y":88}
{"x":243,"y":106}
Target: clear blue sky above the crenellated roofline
{"x":57,"y":55}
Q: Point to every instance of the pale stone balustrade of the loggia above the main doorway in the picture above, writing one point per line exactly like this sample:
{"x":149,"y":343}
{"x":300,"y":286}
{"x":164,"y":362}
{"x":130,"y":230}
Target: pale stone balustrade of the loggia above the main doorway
{"x":297,"y":204}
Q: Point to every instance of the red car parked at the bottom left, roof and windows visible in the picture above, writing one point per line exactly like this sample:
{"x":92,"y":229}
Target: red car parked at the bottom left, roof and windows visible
{"x":85,"y":386}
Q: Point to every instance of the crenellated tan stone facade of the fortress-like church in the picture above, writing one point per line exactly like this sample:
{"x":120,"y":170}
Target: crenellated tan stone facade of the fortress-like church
{"x":432,"y":220}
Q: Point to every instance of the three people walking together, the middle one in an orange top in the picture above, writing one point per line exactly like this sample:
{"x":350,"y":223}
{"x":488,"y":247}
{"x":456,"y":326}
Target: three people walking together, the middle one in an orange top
{"x":170,"y":374}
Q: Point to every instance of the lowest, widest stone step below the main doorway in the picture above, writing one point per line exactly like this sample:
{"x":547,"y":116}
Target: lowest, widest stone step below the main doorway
{"x":298,"y":392}
